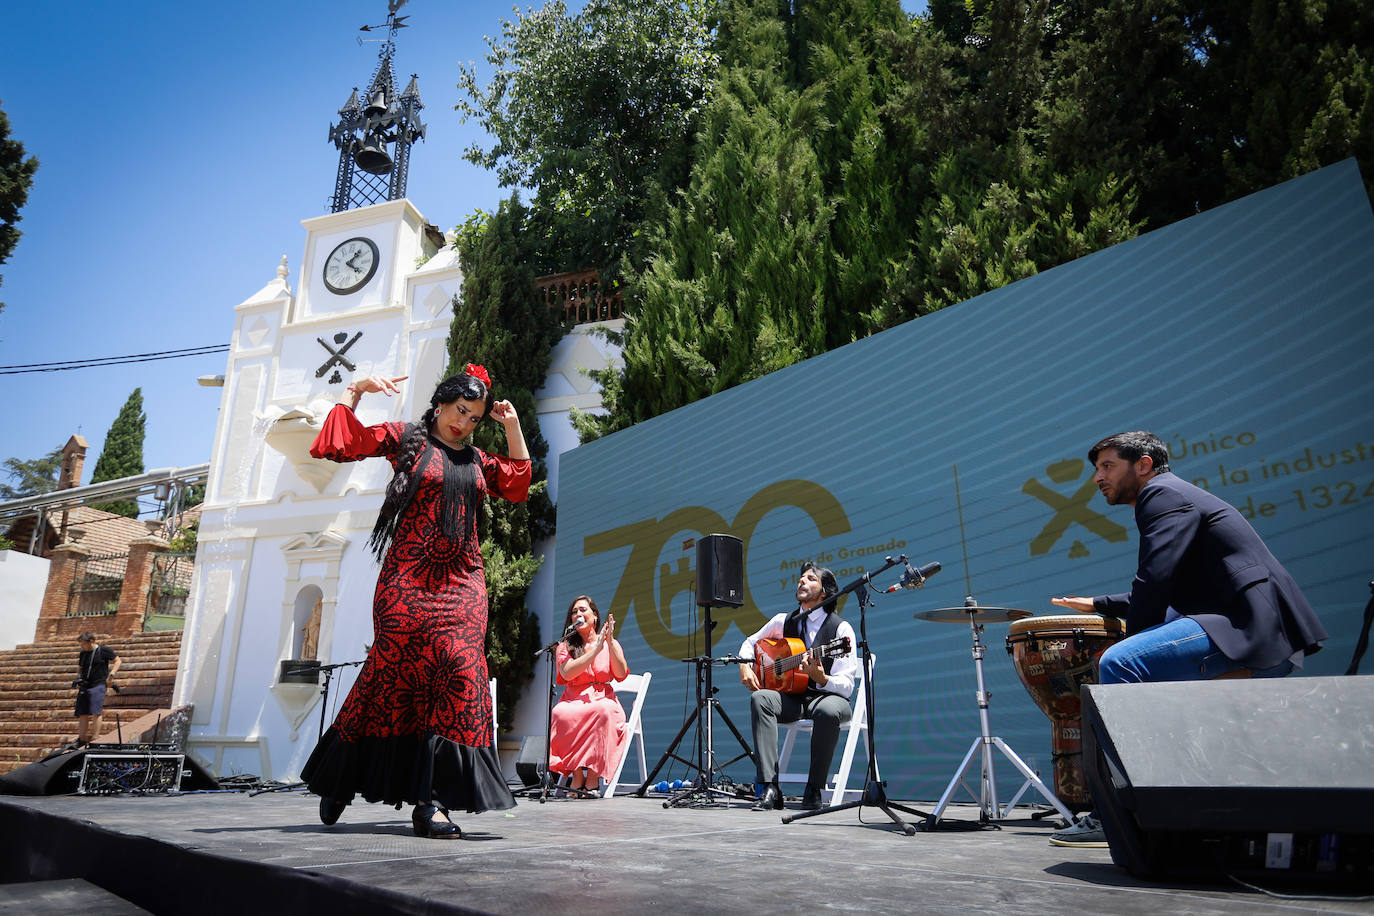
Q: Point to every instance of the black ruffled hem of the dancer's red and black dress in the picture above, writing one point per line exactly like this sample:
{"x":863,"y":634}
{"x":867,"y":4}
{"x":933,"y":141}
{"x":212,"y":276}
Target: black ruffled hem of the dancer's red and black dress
{"x":409,"y":770}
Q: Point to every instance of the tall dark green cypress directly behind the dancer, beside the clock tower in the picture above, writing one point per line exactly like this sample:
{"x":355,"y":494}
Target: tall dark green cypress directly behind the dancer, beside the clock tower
{"x":502,"y":325}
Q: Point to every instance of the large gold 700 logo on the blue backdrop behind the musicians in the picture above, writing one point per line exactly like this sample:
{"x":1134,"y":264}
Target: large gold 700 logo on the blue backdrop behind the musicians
{"x":651,"y":609}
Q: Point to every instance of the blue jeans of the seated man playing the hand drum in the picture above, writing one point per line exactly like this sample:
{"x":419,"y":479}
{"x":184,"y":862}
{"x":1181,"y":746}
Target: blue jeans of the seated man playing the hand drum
{"x":1178,"y":650}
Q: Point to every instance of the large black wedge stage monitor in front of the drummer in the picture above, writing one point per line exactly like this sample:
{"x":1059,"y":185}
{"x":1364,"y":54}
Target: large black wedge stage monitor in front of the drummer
{"x":1250,"y":778}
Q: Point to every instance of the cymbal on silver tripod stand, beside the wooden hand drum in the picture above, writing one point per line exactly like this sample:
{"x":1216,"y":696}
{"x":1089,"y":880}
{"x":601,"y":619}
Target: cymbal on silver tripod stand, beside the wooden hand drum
{"x":989,"y":807}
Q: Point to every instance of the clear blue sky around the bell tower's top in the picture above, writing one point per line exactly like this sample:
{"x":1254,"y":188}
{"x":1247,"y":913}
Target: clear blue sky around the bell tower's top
{"x":181,"y":146}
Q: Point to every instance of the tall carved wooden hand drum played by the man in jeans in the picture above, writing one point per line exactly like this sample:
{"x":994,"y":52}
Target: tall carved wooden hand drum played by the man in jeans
{"x":1055,"y":657}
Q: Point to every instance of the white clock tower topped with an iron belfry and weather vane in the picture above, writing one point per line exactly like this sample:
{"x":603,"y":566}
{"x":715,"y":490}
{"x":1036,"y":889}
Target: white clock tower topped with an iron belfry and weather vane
{"x":284,"y":582}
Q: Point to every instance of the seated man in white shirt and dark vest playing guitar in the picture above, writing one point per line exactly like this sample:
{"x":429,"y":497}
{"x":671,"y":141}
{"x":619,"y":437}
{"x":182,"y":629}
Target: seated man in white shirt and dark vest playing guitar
{"x":829,"y":687}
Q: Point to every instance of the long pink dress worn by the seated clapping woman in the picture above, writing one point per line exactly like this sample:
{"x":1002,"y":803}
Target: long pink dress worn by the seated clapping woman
{"x":589,"y":722}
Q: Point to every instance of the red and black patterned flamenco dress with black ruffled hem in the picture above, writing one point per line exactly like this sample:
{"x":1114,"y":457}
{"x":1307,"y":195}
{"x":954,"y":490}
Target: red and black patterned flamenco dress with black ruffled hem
{"x":417,"y":727}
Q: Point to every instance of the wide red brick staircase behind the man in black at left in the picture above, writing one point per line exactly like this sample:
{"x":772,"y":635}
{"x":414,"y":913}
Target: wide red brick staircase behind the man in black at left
{"x":38,"y":698}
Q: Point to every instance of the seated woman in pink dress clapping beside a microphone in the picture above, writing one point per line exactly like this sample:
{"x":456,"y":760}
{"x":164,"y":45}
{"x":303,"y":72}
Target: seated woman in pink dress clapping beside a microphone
{"x":589,"y":733}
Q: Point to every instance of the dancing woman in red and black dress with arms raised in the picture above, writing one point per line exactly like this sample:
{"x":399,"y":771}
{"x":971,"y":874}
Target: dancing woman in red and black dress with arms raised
{"x":417,"y":727}
